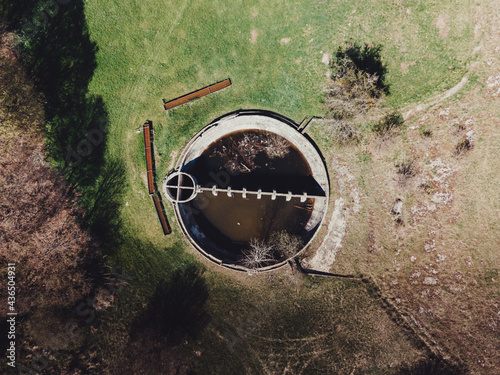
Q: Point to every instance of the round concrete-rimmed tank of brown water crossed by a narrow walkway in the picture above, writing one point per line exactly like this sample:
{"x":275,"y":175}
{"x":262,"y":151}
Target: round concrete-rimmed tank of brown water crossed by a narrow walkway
{"x":217,"y":207}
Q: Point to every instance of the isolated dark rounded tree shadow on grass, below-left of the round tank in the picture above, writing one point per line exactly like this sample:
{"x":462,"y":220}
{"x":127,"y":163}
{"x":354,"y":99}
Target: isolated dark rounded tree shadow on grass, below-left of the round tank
{"x":177,"y":308}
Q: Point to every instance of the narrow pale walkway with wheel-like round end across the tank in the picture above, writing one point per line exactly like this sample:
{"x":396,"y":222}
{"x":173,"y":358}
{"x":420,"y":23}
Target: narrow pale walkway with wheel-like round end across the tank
{"x":181,"y":187}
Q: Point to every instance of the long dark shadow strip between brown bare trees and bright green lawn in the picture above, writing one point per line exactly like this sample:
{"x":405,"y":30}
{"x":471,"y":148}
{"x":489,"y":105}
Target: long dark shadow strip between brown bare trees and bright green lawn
{"x":57,"y":51}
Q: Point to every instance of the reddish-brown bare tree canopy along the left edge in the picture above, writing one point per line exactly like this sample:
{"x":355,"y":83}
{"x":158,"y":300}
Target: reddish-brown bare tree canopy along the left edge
{"x":38,"y":230}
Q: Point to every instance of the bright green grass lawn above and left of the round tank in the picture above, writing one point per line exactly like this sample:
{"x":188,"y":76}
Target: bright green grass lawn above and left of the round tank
{"x":148,"y":53}
